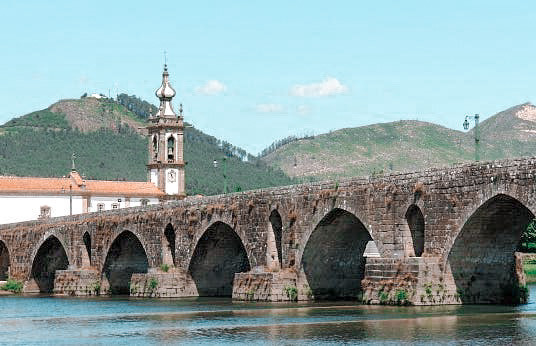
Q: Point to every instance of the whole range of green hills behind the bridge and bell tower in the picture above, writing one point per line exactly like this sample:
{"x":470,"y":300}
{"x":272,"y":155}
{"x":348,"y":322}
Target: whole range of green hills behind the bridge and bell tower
{"x":108,"y":140}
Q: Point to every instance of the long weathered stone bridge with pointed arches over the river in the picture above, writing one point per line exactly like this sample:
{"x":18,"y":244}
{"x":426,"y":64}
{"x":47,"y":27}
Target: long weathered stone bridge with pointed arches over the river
{"x":444,"y":236}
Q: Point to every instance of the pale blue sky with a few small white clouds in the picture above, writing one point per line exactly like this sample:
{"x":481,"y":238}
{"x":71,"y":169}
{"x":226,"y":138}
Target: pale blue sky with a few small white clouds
{"x":252,"y":72}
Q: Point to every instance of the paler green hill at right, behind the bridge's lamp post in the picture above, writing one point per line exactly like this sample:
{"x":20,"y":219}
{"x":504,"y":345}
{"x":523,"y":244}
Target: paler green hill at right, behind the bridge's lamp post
{"x":403,"y":146}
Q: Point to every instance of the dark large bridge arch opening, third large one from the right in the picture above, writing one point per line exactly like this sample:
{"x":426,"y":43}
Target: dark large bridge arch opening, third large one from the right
{"x":218,"y":255}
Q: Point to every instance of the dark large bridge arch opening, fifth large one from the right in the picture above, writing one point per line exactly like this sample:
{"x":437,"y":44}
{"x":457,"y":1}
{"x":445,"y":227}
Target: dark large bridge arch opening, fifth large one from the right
{"x":50,"y":256}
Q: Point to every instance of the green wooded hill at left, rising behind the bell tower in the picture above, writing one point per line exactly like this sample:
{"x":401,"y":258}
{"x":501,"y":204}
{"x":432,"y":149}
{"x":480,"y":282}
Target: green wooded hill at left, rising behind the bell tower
{"x":109,"y":144}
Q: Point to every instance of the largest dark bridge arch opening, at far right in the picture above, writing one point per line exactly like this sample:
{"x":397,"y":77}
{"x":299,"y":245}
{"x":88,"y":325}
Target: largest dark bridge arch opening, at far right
{"x":481,"y":262}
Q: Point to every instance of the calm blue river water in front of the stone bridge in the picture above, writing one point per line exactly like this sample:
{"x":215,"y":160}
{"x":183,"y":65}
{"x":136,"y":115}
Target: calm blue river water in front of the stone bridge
{"x":52,"y":320}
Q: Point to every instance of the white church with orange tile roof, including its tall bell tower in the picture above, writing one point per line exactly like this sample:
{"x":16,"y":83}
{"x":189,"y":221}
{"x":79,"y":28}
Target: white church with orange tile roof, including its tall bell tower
{"x":31,"y":198}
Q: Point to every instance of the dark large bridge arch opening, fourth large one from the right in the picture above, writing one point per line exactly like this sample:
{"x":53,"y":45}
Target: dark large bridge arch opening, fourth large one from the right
{"x":125,"y":256}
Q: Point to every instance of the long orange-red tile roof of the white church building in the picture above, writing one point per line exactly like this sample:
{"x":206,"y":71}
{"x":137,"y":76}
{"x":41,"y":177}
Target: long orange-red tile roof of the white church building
{"x":78,"y":186}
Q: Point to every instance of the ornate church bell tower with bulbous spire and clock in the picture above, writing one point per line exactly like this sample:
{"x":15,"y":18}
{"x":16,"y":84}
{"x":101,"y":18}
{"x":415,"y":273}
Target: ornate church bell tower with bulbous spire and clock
{"x":166,"y":143}
